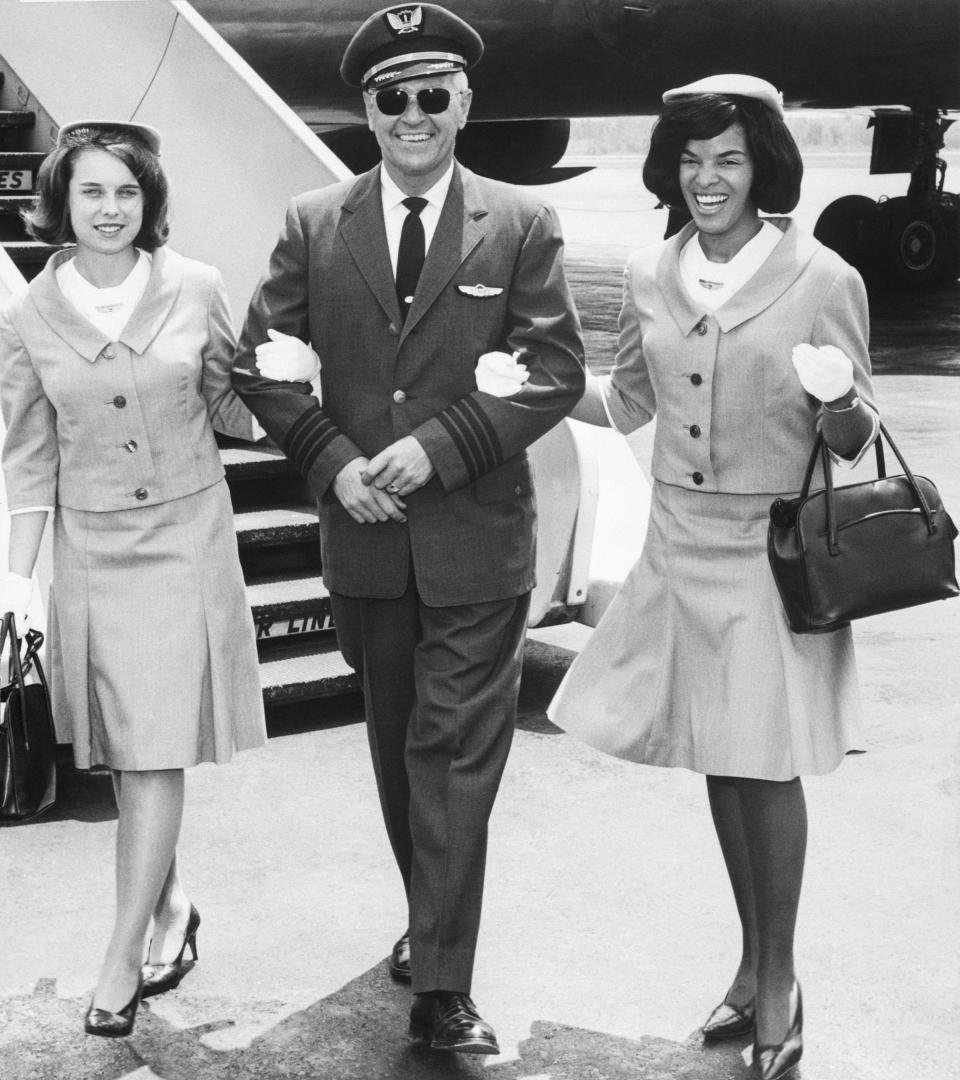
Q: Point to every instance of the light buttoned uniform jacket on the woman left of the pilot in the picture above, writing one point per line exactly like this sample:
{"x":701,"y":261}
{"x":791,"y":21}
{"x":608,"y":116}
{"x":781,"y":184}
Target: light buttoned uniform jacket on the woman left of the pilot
{"x":100,"y":425}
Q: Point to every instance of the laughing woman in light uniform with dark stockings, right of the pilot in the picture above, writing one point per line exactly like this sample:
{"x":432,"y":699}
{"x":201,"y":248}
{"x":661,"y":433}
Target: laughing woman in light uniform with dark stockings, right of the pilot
{"x":742,"y":336}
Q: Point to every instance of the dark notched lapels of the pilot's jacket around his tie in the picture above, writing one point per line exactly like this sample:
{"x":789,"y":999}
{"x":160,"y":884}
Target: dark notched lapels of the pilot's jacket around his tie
{"x":458,"y":232}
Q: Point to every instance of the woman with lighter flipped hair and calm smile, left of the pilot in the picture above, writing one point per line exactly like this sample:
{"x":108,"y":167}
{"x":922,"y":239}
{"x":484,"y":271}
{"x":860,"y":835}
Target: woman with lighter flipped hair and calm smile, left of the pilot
{"x":115,"y":370}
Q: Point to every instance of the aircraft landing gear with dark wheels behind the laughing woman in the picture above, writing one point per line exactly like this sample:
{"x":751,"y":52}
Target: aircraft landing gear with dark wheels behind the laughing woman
{"x":911,"y":240}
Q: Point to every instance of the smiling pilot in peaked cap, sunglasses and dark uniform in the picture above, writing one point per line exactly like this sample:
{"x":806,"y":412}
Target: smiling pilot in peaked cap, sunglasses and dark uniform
{"x":402,"y":279}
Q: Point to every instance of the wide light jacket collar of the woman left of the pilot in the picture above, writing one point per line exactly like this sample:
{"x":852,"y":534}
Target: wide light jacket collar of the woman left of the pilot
{"x":153,"y":309}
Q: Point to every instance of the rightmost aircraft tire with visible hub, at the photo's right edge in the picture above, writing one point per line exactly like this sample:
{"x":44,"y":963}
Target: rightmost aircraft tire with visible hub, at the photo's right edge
{"x":921,"y":248}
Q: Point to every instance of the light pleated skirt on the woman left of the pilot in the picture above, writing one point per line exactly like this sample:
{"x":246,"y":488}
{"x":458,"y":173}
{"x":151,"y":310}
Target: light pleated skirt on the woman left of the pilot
{"x":153,"y":658}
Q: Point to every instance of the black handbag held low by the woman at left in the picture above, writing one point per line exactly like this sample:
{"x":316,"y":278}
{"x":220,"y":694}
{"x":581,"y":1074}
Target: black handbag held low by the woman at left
{"x":28,"y":736}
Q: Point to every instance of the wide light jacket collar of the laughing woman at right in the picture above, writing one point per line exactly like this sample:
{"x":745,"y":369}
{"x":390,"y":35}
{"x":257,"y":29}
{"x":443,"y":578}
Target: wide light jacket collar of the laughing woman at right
{"x":781,"y":269}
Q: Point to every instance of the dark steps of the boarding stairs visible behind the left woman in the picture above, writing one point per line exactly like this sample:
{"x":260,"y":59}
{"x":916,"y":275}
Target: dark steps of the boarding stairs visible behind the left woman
{"x":275,"y":515}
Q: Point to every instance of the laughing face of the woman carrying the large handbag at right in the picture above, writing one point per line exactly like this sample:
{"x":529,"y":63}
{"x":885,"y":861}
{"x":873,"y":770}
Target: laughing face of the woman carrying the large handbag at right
{"x":716,"y":178}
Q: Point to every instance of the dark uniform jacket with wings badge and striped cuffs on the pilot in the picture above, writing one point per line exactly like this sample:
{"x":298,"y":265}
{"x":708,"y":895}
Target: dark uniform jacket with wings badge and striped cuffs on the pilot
{"x":470,"y":531}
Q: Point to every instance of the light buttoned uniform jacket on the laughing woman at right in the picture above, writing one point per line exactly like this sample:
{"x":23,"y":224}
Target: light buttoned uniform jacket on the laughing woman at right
{"x":732,"y":413}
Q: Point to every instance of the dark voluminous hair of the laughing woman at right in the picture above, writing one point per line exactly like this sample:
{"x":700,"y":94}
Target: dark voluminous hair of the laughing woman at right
{"x":778,"y":168}
